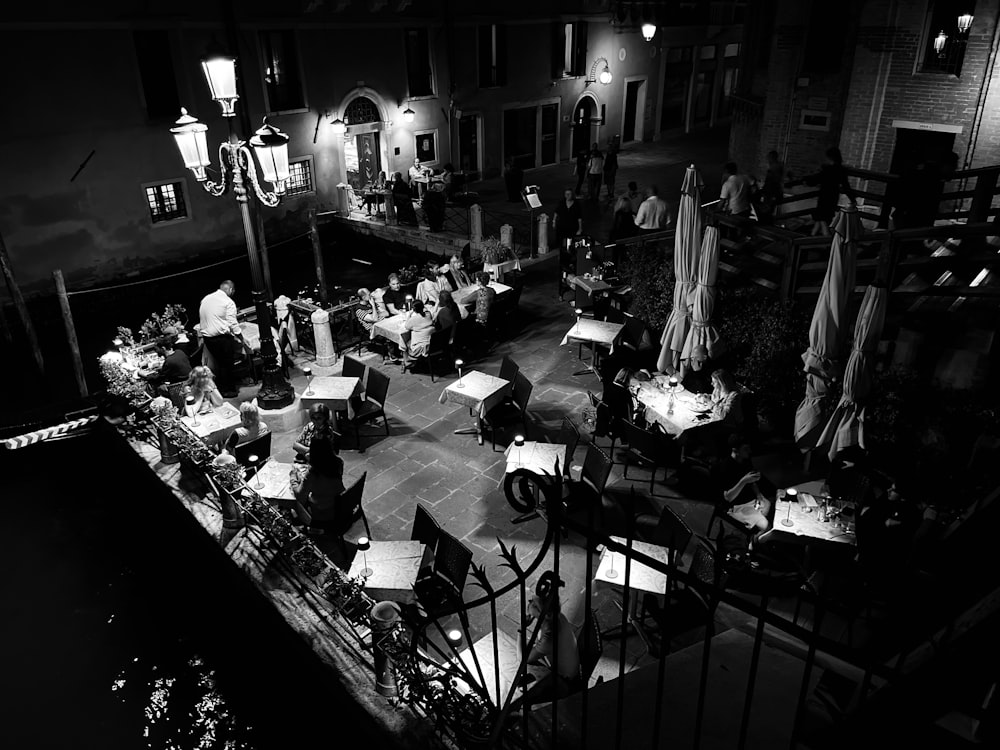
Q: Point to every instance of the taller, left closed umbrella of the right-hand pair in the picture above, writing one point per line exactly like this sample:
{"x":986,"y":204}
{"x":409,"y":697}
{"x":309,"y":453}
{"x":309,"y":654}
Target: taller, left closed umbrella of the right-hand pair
{"x":828,"y":328}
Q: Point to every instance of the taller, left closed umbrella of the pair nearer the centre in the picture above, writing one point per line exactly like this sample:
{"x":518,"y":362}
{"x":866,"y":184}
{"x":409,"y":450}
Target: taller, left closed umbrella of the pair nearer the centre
{"x":687,"y":242}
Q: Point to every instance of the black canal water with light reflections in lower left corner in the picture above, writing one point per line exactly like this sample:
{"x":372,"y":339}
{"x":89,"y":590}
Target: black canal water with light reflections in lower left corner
{"x":125,"y":626}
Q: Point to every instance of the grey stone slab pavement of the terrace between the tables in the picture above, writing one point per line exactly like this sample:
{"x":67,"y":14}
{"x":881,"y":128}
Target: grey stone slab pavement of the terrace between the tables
{"x":459,"y":481}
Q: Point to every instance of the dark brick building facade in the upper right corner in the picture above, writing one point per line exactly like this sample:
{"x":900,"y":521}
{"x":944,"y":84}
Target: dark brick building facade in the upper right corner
{"x":894,"y":84}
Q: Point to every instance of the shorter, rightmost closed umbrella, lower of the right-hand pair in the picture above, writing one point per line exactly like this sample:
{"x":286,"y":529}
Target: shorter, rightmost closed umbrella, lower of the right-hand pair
{"x":847,"y":423}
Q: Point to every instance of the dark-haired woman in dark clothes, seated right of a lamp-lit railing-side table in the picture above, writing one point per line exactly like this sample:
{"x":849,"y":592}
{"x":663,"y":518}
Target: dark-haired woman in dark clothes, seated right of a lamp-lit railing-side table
{"x":318,"y":486}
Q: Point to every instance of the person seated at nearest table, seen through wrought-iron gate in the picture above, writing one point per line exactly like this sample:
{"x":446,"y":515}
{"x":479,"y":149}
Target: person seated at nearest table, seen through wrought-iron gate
{"x":556,"y":674}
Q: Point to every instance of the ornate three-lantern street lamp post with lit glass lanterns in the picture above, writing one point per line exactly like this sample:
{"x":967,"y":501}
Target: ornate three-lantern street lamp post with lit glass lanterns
{"x":238,"y":168}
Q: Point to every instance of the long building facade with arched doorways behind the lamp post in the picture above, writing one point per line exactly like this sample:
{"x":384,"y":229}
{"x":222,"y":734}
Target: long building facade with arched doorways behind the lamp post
{"x":95,"y":187}
